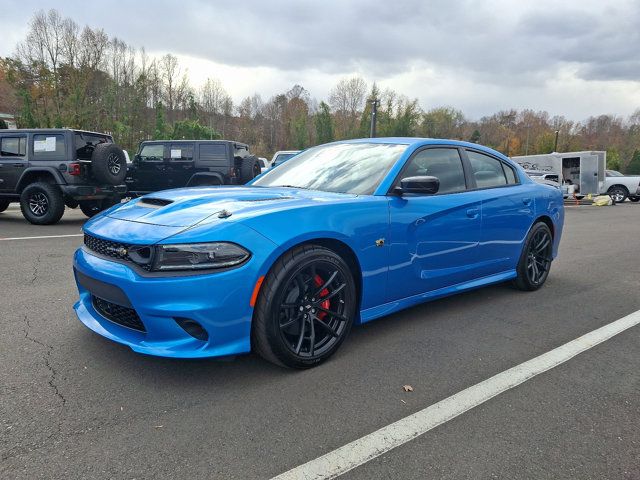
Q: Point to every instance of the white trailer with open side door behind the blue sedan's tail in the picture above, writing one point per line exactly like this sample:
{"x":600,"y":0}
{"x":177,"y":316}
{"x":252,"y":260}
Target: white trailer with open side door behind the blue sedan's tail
{"x":586,"y":169}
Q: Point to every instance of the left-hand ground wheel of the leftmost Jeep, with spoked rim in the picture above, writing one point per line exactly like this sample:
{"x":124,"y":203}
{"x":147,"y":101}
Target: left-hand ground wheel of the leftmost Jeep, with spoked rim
{"x":42,"y":203}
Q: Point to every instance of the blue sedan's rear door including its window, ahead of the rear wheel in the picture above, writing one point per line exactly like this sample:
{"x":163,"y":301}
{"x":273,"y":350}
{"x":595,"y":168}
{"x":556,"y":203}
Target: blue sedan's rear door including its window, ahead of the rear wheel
{"x":508,"y":209}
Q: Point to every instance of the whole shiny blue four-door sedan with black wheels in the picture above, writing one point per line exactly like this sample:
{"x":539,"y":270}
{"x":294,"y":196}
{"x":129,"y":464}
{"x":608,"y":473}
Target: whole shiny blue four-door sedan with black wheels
{"x":342,"y":233}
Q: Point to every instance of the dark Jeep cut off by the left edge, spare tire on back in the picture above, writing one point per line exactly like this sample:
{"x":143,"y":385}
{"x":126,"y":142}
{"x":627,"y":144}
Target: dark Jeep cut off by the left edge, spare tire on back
{"x":46,"y":169}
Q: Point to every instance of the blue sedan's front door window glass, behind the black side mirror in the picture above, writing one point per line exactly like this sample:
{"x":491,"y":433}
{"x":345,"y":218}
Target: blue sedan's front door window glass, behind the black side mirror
{"x":443,"y":163}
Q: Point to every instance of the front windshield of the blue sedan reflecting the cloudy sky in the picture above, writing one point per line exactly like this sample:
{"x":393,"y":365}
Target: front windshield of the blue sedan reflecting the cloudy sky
{"x":355,"y":168}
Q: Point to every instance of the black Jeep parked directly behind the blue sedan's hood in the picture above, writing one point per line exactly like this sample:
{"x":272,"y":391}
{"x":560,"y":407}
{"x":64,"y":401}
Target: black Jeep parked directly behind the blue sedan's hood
{"x":164,"y":164}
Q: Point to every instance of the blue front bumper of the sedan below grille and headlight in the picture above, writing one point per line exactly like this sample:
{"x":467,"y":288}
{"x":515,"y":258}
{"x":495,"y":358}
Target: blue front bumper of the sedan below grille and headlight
{"x":219,"y":302}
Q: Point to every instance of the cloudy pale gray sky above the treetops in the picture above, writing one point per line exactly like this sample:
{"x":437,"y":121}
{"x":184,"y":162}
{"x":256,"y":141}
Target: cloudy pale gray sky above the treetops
{"x":518,"y":46}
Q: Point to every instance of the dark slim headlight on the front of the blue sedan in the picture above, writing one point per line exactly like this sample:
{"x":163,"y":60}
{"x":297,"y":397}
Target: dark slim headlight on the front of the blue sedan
{"x":199,"y":256}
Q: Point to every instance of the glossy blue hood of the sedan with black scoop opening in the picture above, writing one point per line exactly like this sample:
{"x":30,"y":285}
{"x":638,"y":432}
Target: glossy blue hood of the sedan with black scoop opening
{"x":187,"y":207}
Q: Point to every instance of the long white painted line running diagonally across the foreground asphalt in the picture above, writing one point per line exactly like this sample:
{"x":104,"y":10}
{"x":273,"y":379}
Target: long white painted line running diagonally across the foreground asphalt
{"x":360,"y":451}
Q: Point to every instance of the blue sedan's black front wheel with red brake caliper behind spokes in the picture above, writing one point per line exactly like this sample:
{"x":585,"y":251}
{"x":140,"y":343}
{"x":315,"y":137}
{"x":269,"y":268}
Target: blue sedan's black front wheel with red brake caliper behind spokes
{"x":292,"y":325}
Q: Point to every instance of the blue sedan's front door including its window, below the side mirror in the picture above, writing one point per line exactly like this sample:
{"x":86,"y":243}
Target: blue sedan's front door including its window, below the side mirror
{"x":433,"y":238}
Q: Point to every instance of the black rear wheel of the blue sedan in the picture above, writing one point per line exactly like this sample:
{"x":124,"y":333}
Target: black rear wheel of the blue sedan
{"x":529,"y":276}
